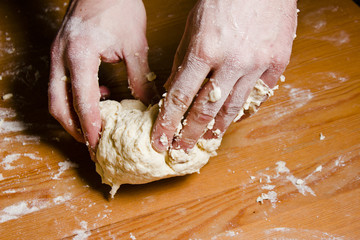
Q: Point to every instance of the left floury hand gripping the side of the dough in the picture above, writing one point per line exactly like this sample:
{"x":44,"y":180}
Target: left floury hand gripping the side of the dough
{"x":95,"y":31}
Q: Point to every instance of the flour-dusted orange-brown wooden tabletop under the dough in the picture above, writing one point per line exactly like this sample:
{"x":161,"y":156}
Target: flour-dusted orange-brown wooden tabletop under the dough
{"x":49,"y":188}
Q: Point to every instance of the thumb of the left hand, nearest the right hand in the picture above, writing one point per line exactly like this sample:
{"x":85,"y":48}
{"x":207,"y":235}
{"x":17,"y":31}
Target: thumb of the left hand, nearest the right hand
{"x":141,"y":79}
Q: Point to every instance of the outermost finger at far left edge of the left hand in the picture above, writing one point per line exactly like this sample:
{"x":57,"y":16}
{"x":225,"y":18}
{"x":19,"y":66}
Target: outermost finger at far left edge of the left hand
{"x":60,"y":99}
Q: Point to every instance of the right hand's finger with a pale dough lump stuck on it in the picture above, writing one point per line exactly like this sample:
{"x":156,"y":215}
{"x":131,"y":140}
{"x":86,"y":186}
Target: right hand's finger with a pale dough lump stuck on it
{"x":206,"y":106}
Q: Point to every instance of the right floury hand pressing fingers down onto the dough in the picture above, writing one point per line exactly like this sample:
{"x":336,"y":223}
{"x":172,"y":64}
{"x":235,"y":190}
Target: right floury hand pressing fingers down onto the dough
{"x":234,"y":42}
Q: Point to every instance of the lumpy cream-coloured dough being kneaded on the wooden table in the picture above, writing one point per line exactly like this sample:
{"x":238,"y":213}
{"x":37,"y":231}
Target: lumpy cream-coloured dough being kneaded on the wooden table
{"x":124,"y":154}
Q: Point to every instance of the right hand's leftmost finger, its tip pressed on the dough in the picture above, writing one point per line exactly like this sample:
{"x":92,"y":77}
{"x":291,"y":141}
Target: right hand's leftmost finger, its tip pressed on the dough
{"x":185,"y":85}
